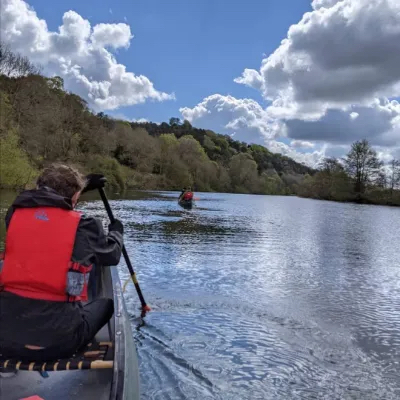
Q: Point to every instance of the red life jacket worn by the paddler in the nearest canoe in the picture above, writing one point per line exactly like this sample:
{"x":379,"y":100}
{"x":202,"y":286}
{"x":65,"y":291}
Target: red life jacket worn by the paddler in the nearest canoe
{"x":37,"y":259}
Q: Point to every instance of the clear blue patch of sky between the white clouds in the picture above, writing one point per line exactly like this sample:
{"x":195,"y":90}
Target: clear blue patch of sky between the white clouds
{"x":191,"y":48}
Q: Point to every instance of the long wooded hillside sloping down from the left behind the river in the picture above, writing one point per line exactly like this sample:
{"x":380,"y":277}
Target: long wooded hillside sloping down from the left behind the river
{"x":42,"y":123}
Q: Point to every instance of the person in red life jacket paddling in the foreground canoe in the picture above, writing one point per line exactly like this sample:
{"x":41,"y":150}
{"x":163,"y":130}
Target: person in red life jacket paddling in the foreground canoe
{"x":50,"y":250}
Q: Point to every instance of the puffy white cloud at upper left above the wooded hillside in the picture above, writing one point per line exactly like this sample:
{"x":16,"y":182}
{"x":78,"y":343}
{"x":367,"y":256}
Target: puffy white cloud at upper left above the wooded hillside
{"x":79,"y":54}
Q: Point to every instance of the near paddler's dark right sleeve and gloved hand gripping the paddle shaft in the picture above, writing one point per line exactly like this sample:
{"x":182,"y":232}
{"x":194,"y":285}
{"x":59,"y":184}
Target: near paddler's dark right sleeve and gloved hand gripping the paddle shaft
{"x":93,"y":245}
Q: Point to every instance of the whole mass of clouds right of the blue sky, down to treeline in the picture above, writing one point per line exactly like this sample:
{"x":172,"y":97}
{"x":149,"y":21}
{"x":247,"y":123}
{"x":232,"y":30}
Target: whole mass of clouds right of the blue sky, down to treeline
{"x":327,"y":84}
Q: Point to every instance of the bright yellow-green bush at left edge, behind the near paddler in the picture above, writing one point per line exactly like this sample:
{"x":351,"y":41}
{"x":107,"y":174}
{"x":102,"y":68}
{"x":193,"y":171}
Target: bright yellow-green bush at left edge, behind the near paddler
{"x":15,"y":168}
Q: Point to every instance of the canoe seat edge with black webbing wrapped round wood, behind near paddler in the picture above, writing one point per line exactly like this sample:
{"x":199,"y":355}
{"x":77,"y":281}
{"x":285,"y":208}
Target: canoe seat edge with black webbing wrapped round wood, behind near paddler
{"x":94,"y":356}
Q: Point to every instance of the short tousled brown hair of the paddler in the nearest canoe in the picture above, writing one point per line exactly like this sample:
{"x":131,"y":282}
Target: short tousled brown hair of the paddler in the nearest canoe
{"x":64,"y":179}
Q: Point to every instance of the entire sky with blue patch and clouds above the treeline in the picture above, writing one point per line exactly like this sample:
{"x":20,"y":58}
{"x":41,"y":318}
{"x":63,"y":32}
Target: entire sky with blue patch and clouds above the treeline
{"x":305,"y":78}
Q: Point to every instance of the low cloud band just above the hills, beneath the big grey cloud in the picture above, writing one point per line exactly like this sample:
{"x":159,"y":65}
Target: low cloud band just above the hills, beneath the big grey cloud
{"x":247,"y":121}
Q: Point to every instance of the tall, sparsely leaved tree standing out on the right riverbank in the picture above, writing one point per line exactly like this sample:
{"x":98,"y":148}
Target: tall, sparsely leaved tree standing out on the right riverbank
{"x":362,"y":165}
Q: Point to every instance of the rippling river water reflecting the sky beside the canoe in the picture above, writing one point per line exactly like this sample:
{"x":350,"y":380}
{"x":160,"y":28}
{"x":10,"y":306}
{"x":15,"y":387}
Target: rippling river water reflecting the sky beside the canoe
{"x":263,"y":297}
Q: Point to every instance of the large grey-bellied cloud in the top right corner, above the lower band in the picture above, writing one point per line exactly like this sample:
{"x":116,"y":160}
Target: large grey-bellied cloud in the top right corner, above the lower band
{"x":344,"y":54}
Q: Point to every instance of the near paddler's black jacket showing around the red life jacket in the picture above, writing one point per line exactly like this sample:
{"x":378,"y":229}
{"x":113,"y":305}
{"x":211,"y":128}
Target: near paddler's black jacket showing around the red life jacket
{"x":45,"y":323}
